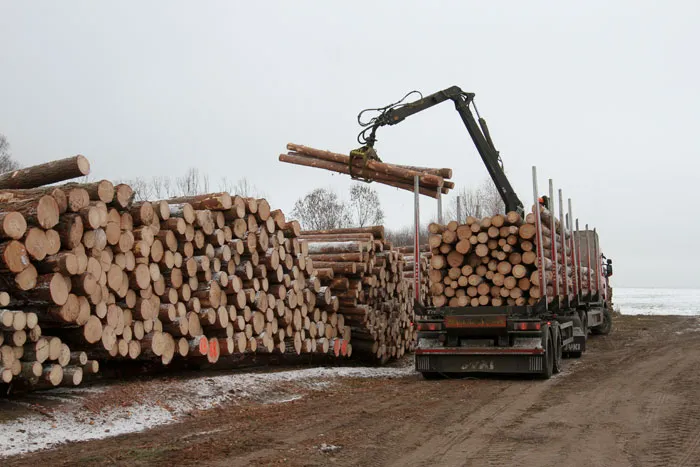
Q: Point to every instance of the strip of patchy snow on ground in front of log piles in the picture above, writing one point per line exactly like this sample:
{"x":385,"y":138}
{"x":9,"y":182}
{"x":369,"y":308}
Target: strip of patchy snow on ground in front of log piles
{"x":167,"y":400}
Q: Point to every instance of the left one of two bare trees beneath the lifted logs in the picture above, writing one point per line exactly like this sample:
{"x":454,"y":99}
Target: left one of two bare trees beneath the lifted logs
{"x":320,"y":210}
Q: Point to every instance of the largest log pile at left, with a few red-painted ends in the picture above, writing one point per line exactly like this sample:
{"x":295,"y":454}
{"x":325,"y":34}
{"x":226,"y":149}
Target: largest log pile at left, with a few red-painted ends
{"x":89,"y":276}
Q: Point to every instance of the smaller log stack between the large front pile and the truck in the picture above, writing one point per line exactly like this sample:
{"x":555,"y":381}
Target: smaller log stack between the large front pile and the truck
{"x":367,"y":276}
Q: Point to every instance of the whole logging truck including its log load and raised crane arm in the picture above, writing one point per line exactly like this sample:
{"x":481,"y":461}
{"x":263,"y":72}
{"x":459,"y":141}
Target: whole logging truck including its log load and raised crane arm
{"x":510,"y":293}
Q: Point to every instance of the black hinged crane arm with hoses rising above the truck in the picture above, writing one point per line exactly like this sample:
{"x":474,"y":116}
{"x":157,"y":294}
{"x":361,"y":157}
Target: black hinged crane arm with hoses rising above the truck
{"x":396,"y":113}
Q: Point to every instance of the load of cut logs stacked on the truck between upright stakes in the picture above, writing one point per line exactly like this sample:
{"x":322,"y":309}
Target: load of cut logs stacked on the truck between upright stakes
{"x":493,"y":261}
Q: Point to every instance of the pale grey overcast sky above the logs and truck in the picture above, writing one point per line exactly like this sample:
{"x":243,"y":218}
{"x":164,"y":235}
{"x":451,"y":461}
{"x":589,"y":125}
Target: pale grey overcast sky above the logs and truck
{"x":601,"y":96}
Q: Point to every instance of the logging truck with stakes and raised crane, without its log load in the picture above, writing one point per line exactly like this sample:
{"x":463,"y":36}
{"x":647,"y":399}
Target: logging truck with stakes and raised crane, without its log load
{"x":517,"y":339}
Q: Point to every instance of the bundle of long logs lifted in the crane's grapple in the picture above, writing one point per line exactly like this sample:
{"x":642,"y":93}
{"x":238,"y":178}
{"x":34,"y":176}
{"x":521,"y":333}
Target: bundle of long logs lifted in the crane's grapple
{"x":400,"y":176}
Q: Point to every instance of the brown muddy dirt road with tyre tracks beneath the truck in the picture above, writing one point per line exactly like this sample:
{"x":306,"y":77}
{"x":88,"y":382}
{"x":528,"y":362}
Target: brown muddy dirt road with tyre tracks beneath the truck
{"x":634,"y":399}
